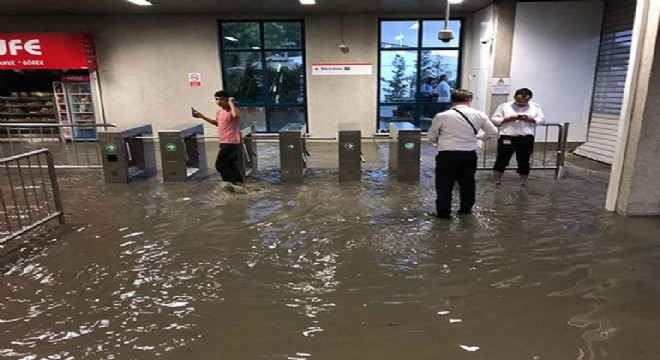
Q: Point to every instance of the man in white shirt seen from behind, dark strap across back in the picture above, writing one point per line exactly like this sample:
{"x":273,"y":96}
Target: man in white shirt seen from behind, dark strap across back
{"x":455,"y":133}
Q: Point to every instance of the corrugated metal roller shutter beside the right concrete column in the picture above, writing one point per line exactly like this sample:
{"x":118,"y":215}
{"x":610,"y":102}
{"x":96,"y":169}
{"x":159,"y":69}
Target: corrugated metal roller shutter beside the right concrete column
{"x":611,"y":70}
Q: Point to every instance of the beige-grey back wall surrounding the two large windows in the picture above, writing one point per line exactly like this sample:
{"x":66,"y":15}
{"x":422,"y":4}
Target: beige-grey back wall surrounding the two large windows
{"x":144,"y":62}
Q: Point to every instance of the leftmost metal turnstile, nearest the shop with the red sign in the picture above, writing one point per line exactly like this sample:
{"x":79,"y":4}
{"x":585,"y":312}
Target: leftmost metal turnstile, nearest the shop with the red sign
{"x":127,"y":153}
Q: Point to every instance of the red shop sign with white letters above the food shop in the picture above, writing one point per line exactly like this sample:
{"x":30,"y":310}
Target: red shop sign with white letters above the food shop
{"x":31,"y":51}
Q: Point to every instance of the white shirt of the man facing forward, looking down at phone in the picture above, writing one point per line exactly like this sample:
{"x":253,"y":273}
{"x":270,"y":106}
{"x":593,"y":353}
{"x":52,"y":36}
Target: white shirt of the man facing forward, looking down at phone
{"x":518,"y":127}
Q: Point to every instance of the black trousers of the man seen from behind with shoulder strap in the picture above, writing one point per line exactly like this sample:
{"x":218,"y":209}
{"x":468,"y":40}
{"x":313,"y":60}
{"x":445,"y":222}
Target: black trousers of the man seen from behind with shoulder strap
{"x":452,"y":167}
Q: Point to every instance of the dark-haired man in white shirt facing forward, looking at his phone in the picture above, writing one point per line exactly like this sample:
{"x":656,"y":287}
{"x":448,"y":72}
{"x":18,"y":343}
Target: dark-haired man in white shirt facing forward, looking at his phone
{"x":517,"y":120}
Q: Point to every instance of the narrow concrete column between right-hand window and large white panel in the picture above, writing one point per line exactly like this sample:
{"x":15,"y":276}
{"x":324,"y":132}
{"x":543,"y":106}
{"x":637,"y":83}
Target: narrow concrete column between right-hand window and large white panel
{"x":505,"y":17}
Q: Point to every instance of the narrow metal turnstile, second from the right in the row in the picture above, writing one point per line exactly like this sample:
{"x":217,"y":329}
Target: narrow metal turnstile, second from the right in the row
{"x":350,"y":150}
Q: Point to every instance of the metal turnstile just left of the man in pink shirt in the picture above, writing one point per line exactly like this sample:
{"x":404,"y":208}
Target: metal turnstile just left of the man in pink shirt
{"x":182,"y":152}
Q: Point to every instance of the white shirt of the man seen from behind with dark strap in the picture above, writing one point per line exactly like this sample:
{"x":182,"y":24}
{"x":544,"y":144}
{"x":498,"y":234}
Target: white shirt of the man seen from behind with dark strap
{"x":451,"y":132}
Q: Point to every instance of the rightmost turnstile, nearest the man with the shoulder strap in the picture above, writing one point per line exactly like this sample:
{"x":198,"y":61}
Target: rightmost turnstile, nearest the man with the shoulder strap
{"x":405,"y":141}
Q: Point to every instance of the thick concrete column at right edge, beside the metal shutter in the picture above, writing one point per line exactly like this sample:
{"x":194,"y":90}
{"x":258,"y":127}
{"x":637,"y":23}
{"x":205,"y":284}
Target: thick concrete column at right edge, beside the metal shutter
{"x":635,"y":169}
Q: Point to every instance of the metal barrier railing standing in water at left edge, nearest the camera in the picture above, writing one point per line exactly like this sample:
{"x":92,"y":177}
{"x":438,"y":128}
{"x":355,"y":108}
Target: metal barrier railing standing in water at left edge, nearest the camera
{"x":24,"y":189}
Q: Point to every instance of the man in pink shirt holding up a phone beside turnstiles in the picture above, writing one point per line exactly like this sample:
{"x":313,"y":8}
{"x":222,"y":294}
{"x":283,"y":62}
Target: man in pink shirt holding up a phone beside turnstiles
{"x":227,"y":119}
